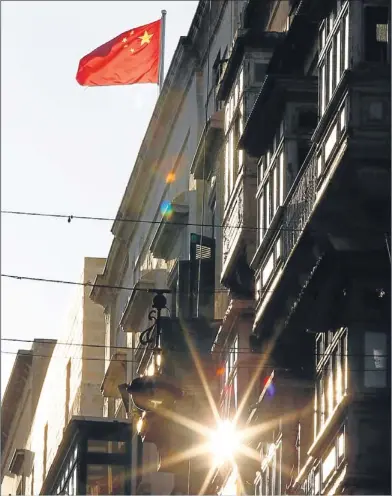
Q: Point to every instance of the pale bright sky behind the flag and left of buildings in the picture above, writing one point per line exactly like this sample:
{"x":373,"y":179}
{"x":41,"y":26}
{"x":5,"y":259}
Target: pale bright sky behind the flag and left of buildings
{"x":65,"y":149}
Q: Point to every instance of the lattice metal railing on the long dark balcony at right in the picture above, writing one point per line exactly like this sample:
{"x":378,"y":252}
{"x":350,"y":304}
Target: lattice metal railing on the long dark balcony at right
{"x":302,"y":198}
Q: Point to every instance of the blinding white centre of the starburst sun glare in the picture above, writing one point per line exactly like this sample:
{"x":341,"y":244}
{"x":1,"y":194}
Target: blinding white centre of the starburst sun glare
{"x":224,"y":442}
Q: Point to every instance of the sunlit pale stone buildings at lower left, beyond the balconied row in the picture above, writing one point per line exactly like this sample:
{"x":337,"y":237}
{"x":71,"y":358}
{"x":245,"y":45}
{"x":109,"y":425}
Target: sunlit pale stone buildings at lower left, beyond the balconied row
{"x":51,"y":384}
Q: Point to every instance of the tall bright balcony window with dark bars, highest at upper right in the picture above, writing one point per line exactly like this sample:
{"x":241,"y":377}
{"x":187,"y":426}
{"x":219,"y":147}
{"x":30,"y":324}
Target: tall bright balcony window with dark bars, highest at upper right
{"x":334,"y":53}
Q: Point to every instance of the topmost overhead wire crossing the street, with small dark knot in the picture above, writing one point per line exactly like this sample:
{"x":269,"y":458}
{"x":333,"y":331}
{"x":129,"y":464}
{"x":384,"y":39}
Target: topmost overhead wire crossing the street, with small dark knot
{"x":70,"y":217}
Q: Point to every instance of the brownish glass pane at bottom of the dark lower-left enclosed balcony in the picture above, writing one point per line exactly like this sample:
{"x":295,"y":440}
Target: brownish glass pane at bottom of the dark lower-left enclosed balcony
{"x":105,"y":479}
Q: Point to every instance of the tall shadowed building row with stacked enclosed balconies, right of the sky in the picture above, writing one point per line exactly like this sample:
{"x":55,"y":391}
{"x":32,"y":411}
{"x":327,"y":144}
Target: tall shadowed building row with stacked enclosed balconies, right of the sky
{"x":260,"y":202}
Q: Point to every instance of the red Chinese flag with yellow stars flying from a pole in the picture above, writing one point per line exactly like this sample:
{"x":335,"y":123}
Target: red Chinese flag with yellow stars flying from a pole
{"x":130,"y":58}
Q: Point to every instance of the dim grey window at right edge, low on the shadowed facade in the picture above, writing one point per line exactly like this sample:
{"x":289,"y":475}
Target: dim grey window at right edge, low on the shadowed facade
{"x":375,"y":375}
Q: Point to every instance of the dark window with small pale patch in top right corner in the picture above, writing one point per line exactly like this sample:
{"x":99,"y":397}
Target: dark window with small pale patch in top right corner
{"x":376,"y":34}
